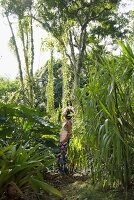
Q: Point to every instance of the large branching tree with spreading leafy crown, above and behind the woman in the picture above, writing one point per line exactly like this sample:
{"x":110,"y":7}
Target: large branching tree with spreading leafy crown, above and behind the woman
{"x":71,"y":23}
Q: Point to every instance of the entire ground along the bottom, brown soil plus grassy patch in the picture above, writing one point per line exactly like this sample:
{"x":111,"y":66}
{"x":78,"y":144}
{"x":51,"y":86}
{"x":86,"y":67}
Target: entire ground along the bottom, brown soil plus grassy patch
{"x":74,"y":187}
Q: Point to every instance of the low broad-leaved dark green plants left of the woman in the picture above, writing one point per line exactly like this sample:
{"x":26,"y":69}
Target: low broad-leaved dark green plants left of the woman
{"x":27,"y":148}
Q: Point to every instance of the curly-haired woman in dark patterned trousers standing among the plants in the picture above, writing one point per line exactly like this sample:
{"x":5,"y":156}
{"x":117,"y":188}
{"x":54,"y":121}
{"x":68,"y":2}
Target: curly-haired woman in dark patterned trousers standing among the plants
{"x":65,"y":135}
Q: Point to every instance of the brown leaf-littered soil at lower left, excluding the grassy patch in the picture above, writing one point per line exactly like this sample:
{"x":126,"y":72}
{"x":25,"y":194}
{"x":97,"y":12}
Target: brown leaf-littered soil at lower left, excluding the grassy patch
{"x":56,"y":180}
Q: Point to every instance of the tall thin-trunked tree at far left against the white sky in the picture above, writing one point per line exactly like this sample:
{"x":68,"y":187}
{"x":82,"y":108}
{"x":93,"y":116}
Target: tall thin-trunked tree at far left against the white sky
{"x":22,"y":10}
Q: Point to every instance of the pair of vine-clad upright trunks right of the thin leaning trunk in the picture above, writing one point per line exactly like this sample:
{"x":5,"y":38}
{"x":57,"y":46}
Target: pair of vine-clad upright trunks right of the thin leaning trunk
{"x":26,"y":36}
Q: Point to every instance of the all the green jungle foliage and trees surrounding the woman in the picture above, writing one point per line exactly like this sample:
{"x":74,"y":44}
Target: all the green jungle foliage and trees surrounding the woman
{"x":98,"y":83}
